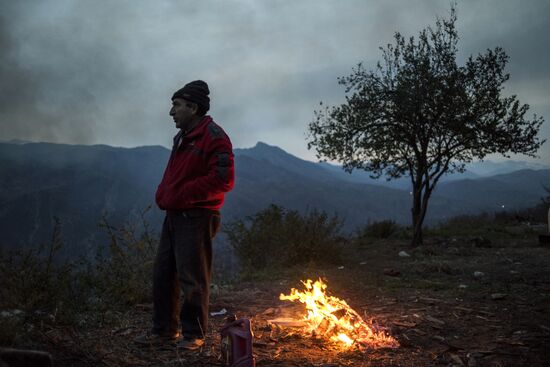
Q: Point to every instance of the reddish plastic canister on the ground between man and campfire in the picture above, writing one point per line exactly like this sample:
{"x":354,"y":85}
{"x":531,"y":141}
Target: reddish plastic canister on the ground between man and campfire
{"x":237,"y":343}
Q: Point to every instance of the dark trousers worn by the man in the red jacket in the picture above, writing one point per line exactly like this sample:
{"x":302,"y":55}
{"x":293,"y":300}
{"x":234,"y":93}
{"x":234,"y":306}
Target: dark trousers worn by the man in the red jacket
{"x":184,"y":261}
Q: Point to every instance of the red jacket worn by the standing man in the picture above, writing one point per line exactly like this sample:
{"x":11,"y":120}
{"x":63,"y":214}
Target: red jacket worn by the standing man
{"x":199,"y":171}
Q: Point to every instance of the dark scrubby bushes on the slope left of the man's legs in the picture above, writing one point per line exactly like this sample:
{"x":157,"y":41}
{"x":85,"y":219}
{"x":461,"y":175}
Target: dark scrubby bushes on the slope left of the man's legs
{"x":40,"y":285}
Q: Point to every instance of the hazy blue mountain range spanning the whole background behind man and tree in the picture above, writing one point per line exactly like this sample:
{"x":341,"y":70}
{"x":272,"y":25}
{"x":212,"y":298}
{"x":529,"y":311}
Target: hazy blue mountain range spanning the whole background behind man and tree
{"x":79,"y":184}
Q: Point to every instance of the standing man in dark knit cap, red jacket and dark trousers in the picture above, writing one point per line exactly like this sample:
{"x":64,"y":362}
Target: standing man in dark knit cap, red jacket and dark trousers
{"x":200,"y":170}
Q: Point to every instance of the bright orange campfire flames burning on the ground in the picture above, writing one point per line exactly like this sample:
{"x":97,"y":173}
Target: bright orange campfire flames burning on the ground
{"x":332,"y":318}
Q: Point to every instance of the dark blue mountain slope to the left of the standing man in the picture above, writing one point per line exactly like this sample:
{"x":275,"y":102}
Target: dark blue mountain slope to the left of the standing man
{"x":76,"y":183}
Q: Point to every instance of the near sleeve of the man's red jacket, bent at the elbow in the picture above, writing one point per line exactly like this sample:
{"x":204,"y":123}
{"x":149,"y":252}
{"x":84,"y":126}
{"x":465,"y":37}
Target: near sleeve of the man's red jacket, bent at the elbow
{"x":220,"y":176}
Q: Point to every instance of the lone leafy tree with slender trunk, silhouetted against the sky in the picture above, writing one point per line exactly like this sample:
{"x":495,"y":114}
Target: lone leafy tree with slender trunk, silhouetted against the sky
{"x":421,"y":115}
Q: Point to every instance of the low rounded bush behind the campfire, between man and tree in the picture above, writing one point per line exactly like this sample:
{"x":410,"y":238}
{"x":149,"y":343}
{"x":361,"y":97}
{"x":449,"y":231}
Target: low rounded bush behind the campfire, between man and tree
{"x":275,"y":238}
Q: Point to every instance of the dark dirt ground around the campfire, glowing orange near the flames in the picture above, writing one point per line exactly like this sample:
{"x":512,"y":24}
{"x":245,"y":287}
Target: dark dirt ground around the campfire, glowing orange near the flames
{"x":452,"y":302}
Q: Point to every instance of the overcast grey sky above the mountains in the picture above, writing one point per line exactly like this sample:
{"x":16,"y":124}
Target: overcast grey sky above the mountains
{"x":103,"y":72}
